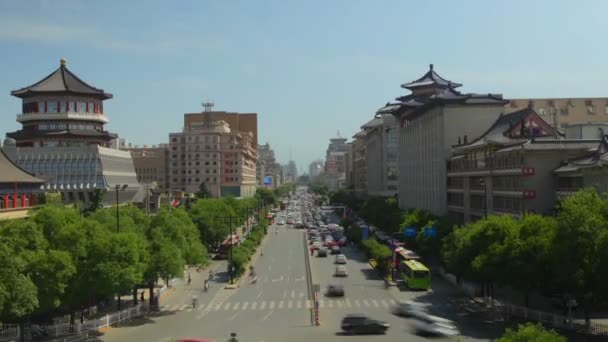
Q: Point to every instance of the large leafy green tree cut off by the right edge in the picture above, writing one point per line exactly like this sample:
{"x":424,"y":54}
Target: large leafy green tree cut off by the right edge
{"x":582,"y":225}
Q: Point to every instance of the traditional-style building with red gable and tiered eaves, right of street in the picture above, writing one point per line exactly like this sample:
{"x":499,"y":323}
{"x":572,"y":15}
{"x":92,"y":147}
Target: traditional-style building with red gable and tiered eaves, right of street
{"x":509,"y":169}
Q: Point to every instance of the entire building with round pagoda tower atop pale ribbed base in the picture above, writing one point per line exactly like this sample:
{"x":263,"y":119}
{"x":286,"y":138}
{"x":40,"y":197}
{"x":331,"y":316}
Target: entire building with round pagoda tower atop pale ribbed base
{"x":64,"y":142}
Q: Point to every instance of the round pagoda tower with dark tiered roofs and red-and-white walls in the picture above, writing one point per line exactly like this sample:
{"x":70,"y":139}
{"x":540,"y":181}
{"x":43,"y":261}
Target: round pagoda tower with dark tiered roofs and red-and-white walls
{"x":61,"y":110}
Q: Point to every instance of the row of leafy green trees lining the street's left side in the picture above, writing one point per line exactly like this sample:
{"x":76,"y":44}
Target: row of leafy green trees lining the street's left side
{"x":60,"y":261}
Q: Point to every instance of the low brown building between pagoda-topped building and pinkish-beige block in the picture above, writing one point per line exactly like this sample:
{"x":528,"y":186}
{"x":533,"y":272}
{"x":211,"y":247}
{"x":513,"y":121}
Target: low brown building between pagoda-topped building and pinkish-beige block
{"x":151,"y":166}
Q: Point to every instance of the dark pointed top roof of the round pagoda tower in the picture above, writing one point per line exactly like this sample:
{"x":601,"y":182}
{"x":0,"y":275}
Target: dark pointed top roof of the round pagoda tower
{"x":61,"y":80}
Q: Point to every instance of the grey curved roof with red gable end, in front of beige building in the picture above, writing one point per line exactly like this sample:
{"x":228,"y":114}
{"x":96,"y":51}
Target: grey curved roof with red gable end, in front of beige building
{"x":513,"y":128}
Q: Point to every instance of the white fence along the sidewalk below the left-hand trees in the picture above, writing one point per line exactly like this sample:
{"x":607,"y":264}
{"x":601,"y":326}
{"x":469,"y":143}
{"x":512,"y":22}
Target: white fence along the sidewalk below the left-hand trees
{"x":71,"y":332}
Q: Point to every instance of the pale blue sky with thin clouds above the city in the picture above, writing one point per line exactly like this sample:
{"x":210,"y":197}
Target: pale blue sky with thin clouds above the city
{"x":310,"y":69}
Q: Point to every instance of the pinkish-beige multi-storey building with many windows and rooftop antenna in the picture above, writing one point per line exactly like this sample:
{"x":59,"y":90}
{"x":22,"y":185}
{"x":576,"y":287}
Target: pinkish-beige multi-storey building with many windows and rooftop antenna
{"x":209,"y":152}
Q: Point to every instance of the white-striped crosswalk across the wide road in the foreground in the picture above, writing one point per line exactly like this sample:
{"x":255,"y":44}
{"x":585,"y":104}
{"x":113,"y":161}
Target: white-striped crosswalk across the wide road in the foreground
{"x":286,"y":304}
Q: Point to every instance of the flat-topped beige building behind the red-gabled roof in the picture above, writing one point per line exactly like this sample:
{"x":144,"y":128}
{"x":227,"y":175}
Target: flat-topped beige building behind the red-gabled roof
{"x":564,"y":111}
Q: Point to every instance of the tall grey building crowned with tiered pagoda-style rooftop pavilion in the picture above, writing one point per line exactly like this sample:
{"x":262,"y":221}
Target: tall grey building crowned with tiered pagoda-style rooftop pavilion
{"x":430,"y":120}
